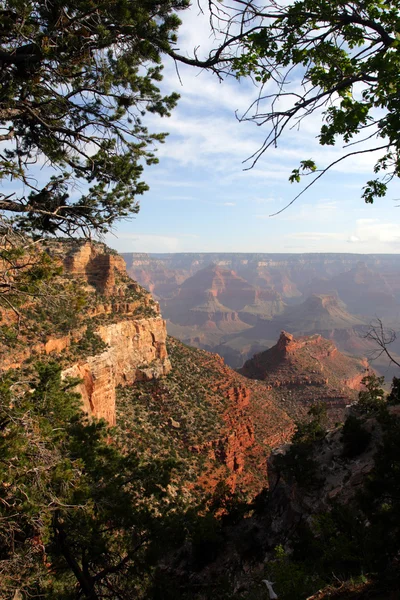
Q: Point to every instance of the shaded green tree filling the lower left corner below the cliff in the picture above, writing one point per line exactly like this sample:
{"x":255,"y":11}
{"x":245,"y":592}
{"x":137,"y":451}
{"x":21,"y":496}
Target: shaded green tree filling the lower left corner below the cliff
{"x":78,"y":519}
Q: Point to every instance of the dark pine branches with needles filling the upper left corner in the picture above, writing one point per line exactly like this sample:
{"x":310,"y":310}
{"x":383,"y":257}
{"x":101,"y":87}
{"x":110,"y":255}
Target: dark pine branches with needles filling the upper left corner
{"x":76,"y":80}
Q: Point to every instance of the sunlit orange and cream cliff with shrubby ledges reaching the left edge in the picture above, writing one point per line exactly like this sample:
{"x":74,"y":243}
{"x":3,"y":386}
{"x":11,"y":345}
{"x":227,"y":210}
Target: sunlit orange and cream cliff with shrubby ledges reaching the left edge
{"x":118,"y":311}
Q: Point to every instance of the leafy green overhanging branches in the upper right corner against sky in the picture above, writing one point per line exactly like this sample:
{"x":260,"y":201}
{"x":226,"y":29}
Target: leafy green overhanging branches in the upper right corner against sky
{"x":335,"y":61}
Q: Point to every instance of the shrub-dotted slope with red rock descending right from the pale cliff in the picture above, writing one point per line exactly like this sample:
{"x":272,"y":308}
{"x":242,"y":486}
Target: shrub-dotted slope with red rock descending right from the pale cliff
{"x":220,"y":424}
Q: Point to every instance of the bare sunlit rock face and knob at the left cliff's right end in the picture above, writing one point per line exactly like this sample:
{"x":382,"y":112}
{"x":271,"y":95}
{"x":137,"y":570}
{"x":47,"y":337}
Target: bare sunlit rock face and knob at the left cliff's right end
{"x":136,"y":347}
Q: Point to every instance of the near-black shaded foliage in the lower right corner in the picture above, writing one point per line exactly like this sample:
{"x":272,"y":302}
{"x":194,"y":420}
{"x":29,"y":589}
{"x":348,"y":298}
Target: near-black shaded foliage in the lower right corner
{"x":360,"y":536}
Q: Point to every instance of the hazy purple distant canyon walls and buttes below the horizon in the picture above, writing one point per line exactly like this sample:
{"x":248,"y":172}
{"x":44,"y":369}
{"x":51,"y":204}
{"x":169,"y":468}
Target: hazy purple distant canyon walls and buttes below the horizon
{"x":237,"y":304}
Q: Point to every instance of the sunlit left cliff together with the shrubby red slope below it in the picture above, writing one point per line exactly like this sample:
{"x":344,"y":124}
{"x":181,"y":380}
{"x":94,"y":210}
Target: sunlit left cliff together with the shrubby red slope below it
{"x":223,"y":424}
